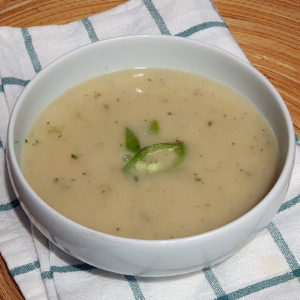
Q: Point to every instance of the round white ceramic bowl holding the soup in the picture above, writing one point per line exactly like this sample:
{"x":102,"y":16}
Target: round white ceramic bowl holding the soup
{"x":142,"y":257}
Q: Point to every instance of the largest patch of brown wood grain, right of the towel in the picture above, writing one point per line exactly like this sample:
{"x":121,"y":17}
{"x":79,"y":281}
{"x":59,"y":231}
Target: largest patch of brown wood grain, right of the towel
{"x":269,"y":33}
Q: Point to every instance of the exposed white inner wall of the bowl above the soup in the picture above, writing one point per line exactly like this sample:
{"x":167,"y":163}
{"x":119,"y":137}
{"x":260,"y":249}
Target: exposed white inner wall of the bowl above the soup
{"x":139,"y":52}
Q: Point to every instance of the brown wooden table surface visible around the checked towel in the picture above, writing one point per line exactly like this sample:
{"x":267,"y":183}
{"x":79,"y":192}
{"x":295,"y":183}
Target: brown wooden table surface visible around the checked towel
{"x":268,"y":31}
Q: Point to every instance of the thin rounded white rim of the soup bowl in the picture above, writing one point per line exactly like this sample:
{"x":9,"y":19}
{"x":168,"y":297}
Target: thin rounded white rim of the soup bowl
{"x":283,"y":176}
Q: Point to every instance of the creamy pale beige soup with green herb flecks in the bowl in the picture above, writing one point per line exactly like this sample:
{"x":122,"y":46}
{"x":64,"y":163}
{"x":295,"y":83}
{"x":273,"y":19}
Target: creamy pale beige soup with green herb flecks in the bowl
{"x":74,"y":156}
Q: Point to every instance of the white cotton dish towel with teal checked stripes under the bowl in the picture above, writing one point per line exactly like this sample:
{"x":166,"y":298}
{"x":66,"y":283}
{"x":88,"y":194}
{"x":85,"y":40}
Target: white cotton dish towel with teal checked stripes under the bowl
{"x":266,"y":268}
